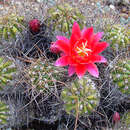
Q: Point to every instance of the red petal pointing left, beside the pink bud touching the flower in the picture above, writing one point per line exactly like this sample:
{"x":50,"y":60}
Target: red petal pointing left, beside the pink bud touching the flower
{"x":63,"y":46}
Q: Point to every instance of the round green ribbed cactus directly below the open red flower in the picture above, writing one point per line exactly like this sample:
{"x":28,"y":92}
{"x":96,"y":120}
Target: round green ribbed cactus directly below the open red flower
{"x":81,"y":97}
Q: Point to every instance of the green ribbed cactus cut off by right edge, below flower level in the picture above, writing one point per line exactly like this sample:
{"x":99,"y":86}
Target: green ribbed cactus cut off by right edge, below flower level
{"x":121,"y":75}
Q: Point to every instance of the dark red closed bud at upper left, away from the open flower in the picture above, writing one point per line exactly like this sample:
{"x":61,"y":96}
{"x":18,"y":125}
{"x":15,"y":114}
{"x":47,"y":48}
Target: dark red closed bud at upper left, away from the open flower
{"x":34,"y":25}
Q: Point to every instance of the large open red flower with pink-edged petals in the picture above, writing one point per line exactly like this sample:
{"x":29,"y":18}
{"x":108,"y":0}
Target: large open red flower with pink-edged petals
{"x":81,"y":51}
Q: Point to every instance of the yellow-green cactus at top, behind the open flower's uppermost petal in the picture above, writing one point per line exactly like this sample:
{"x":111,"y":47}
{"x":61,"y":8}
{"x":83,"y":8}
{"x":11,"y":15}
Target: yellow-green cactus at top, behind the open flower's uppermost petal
{"x":63,"y":16}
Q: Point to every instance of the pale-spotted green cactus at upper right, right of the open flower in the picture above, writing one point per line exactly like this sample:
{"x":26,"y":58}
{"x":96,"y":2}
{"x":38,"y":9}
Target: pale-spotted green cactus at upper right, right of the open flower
{"x":118,"y":36}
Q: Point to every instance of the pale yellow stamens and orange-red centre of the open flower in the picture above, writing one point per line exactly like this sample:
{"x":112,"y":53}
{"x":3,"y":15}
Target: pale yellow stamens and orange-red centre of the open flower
{"x":82,"y":49}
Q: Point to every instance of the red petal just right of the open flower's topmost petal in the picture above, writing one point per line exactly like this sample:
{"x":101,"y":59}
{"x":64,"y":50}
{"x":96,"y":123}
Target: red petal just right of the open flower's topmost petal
{"x":87,"y":34}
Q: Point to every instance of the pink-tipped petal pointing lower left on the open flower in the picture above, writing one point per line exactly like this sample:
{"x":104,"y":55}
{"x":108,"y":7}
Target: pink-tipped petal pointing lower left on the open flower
{"x":62,"y":61}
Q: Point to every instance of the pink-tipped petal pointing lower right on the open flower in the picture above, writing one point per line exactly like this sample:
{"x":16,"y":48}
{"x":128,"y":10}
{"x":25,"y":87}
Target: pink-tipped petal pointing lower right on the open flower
{"x":92,"y":69}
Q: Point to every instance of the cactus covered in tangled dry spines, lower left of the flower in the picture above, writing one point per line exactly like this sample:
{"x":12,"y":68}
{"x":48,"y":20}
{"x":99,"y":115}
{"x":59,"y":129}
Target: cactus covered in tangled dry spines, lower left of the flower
{"x":44,"y":75}
